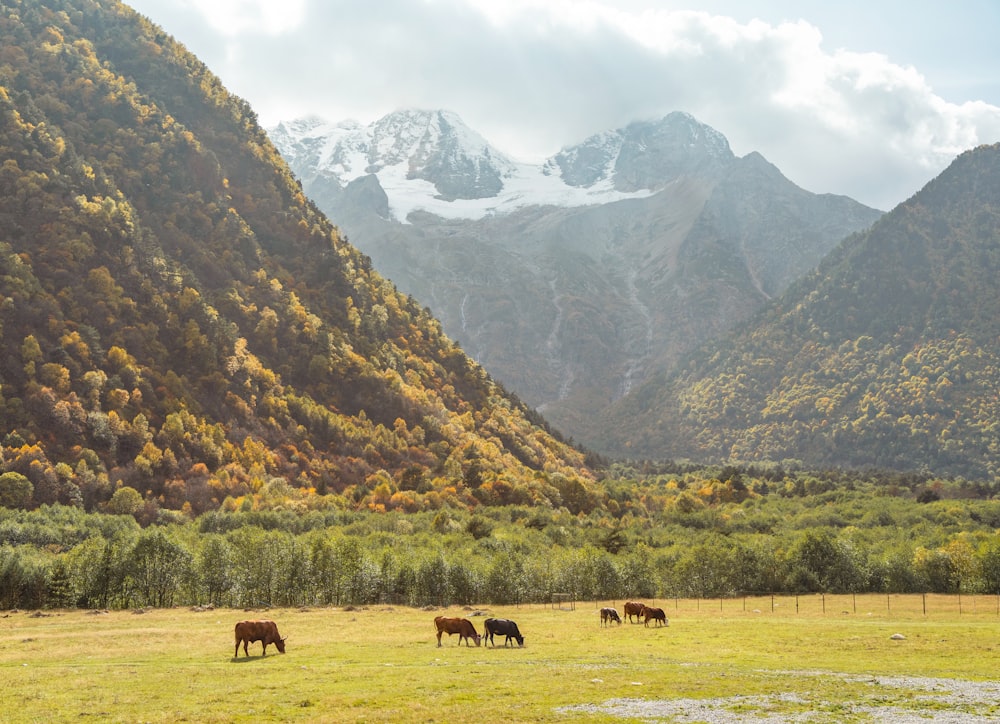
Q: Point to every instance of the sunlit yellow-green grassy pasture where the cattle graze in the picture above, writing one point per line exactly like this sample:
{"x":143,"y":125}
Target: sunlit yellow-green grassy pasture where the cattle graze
{"x":817,"y":658}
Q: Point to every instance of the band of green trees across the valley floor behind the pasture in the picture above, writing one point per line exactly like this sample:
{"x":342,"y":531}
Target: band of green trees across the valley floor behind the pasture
{"x":58,"y":556}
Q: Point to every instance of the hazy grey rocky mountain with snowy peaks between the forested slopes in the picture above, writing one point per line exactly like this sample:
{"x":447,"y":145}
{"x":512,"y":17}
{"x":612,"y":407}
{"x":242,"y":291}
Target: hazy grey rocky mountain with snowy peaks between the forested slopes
{"x":575,"y":279}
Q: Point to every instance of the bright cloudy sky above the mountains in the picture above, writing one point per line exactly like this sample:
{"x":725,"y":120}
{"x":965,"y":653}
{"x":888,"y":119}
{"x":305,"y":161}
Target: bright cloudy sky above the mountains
{"x":870,"y":99}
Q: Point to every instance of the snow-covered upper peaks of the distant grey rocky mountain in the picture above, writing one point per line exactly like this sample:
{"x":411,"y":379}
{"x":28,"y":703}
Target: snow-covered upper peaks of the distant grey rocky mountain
{"x":432,"y":161}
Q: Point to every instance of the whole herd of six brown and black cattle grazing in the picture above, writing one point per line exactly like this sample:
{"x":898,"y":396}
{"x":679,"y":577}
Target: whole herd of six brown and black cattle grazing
{"x":266,"y":632}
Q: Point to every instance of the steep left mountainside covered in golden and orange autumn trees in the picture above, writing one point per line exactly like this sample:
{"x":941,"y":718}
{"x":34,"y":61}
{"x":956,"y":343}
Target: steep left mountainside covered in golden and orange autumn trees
{"x":177,"y":318}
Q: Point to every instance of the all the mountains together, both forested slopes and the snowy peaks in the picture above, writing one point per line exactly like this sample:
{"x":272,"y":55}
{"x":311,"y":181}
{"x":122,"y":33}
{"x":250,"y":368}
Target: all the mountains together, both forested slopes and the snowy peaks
{"x":184,"y":329}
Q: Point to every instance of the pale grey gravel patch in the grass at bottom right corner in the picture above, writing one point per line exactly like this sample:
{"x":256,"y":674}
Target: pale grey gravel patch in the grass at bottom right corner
{"x":943,"y":701}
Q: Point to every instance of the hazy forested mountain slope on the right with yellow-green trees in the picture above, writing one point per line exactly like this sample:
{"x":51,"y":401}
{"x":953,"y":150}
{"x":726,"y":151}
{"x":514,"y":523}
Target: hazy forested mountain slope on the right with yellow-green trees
{"x":887,"y":355}
